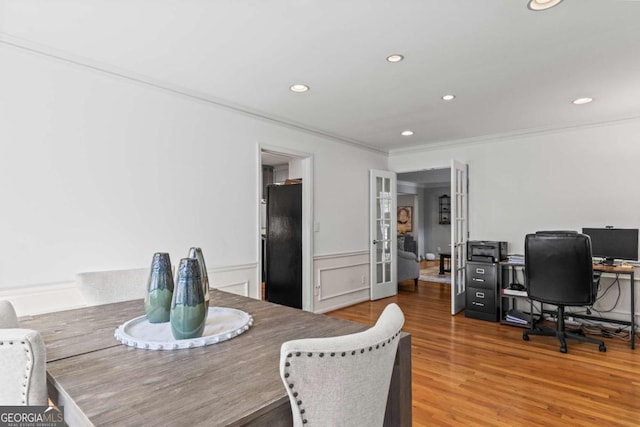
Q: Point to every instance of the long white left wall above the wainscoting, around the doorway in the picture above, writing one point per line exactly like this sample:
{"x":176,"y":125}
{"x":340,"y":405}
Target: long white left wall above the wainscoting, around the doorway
{"x":99,"y":172}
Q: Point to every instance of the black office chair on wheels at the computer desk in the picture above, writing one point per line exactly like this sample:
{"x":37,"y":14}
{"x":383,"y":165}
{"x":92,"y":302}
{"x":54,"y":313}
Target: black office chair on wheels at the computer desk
{"x":559,"y":271}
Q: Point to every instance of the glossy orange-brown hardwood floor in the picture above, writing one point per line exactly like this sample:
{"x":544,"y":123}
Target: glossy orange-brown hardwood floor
{"x":472,"y":372}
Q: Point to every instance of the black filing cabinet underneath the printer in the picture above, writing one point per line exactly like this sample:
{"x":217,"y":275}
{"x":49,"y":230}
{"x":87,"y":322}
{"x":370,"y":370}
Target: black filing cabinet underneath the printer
{"x":482,"y":293}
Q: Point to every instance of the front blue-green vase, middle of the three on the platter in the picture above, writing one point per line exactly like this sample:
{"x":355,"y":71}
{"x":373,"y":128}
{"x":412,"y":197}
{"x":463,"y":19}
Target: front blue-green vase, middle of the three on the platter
{"x":188,"y":310}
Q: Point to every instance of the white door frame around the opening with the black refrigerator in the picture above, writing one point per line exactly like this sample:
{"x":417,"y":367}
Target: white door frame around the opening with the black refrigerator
{"x":307,"y":219}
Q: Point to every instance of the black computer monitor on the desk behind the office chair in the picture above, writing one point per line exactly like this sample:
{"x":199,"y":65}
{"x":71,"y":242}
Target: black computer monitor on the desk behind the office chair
{"x":613,"y":243}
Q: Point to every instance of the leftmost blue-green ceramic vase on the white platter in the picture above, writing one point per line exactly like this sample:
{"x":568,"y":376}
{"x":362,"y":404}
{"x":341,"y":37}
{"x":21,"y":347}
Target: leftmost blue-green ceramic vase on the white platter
{"x":157,"y":300}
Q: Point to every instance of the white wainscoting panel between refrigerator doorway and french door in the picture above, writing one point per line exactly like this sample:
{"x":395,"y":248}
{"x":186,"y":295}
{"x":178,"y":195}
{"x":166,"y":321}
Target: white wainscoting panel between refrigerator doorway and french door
{"x":340,"y":280}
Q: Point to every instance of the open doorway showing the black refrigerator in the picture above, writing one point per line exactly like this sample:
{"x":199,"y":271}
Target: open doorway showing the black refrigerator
{"x":285,"y":210}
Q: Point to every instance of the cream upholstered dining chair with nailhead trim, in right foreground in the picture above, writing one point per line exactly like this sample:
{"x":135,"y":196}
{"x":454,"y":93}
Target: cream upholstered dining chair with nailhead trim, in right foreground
{"x":343,"y":380}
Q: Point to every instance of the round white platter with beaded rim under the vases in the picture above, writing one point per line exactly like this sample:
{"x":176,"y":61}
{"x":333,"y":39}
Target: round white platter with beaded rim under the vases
{"x":222,"y":324}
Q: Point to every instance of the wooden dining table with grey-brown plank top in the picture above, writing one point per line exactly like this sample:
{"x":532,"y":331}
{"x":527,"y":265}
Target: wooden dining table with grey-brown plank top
{"x":99,"y":381}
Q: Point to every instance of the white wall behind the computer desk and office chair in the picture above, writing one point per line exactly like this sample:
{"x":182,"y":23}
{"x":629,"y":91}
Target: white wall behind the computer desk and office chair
{"x":565,"y":179}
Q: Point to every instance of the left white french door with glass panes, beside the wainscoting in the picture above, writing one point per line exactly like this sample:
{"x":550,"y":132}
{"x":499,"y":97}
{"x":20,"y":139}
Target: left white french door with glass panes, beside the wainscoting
{"x":382,"y":234}
